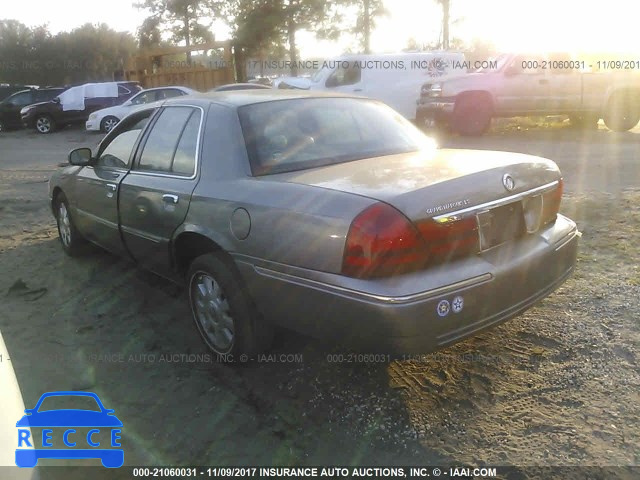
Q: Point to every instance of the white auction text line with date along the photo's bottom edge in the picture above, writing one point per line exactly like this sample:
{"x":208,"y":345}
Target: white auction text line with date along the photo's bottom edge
{"x":309,"y":472}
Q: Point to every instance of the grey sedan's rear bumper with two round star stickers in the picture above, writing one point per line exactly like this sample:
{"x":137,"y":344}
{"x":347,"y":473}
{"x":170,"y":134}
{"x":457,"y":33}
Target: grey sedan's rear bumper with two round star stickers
{"x":391,"y":316}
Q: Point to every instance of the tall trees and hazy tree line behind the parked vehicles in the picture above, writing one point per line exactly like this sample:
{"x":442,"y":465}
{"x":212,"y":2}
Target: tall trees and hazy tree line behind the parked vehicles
{"x":259,"y":29}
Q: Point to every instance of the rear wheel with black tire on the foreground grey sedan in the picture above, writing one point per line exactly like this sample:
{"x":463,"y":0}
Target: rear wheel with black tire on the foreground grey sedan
{"x":222,"y":310}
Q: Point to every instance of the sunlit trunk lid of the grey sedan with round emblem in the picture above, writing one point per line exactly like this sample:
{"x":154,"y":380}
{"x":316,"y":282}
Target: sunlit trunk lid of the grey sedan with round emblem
{"x":428,"y":183}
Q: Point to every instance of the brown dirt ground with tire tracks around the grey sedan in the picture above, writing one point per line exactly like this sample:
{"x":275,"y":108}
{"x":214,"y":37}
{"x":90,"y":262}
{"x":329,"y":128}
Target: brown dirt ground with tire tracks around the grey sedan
{"x":559,"y":385}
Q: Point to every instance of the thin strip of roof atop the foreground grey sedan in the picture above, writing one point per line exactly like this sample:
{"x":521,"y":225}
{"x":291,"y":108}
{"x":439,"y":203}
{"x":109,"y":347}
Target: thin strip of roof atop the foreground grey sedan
{"x":239,"y":98}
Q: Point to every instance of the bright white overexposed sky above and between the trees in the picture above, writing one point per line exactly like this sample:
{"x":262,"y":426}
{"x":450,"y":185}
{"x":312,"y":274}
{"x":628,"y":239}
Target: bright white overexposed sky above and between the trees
{"x":593,"y":25}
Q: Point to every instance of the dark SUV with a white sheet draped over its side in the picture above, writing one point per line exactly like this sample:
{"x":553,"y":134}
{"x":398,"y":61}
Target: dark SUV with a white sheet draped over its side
{"x":76,"y":104}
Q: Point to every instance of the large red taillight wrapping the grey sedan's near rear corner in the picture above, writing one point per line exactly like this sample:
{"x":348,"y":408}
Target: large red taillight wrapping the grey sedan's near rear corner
{"x":382,"y":242}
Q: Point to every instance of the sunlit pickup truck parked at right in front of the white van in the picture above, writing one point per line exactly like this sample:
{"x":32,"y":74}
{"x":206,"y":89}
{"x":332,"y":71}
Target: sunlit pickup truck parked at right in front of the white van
{"x":531,"y":85}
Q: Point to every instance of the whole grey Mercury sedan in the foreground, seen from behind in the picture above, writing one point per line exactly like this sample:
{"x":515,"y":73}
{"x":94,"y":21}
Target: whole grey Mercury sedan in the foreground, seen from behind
{"x":333,"y":216}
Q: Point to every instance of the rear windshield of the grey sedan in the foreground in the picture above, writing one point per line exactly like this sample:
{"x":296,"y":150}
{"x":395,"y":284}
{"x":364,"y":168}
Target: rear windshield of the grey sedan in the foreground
{"x":289,"y":135}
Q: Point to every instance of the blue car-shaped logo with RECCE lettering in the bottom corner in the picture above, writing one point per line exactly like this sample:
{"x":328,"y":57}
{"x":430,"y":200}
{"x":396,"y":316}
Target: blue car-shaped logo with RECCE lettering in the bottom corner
{"x":64,"y":420}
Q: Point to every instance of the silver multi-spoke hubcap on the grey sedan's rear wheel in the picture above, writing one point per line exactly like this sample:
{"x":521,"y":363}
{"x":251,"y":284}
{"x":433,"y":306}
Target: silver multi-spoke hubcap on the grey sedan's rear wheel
{"x":212,"y":311}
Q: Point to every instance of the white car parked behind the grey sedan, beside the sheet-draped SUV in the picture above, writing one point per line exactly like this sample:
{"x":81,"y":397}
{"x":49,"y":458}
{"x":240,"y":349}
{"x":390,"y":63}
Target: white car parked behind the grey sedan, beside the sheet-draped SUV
{"x":107,"y":118}
